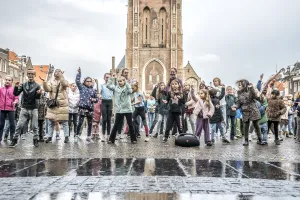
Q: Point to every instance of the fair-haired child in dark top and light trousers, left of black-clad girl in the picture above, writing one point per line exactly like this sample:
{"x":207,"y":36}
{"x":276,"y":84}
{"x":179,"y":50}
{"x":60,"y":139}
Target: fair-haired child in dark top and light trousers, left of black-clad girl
{"x":161,"y":96}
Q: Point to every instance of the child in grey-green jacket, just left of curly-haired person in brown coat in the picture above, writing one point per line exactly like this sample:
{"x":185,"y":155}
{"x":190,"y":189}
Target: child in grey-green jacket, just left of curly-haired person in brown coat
{"x":231,"y":100}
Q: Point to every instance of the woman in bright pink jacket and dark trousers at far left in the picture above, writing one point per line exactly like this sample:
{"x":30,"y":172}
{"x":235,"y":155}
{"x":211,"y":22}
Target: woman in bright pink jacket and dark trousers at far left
{"x":7,"y":106}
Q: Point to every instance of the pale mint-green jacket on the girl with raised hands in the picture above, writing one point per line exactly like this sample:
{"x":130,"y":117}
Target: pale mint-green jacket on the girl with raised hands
{"x":122,"y":96}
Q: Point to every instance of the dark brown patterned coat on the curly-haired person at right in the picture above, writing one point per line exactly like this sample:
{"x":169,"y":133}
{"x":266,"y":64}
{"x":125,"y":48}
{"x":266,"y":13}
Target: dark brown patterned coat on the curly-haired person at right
{"x":246,"y":101}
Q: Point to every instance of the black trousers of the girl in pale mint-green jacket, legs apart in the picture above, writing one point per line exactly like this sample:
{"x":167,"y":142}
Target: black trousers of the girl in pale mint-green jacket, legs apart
{"x":118,"y":122}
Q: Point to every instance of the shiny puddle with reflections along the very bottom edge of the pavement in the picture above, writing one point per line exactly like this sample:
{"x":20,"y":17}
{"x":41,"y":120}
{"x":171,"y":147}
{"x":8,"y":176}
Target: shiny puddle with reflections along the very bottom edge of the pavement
{"x":157,"y":196}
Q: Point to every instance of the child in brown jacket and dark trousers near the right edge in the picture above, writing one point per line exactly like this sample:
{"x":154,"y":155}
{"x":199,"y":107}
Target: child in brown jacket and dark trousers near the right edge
{"x":275,"y":110}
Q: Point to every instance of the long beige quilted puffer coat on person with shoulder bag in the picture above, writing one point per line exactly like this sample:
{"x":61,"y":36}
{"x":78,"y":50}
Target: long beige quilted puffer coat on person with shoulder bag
{"x":61,"y":112}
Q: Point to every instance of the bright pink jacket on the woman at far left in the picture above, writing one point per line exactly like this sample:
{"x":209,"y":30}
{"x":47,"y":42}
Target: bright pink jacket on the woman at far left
{"x":7,"y":98}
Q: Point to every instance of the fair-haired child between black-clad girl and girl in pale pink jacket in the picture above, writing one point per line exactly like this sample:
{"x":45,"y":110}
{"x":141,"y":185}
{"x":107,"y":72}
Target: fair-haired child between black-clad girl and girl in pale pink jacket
{"x":190,"y":99}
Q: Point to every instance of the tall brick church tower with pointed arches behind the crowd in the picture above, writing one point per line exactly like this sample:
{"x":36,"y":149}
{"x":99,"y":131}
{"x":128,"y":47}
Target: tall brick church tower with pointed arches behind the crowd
{"x":154,"y":40}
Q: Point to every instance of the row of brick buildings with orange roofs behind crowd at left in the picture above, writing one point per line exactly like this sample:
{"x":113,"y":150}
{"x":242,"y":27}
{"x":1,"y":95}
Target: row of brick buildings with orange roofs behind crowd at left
{"x":16,"y":66}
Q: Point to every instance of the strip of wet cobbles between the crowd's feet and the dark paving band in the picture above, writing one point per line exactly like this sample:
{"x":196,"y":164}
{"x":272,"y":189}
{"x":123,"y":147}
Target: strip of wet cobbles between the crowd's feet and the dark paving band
{"x":154,"y":149}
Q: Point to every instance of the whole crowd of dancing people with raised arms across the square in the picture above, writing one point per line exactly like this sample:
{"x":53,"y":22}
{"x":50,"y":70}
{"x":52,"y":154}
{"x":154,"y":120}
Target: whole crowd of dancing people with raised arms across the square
{"x":172,"y":108}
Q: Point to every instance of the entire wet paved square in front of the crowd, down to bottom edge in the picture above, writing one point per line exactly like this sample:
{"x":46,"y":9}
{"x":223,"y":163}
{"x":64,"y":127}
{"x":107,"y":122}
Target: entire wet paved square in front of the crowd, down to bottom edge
{"x":149,"y":171}
